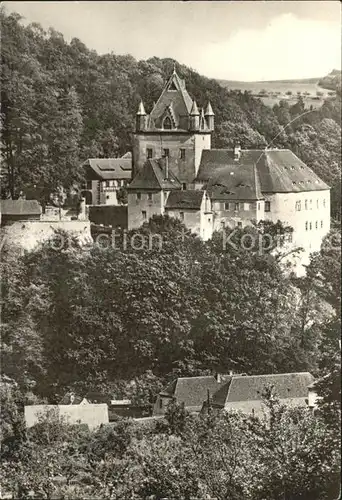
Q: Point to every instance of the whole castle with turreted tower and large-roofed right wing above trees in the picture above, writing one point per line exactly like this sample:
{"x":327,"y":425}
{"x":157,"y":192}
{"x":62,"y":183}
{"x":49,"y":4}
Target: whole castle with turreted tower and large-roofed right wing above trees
{"x":176,"y":172}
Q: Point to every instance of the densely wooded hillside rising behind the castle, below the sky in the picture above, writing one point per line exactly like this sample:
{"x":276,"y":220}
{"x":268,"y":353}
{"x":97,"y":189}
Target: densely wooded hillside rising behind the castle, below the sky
{"x":63,"y":103}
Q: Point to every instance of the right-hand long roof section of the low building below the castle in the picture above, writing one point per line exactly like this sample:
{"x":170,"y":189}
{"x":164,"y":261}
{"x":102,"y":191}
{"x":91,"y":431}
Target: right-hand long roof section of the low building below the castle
{"x":251,"y":388}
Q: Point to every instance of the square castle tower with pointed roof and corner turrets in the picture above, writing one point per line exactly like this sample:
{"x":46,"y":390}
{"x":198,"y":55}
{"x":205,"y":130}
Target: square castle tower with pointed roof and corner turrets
{"x":174,"y":130}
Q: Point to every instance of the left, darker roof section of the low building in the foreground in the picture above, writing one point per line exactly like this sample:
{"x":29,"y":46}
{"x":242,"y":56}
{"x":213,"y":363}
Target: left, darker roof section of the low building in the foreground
{"x":192,"y":391}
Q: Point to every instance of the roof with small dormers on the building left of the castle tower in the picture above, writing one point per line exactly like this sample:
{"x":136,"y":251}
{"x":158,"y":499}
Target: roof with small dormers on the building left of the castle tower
{"x":108,"y":168}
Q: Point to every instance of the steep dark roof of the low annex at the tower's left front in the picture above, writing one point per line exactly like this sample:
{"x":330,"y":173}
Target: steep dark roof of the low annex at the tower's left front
{"x":153,"y":176}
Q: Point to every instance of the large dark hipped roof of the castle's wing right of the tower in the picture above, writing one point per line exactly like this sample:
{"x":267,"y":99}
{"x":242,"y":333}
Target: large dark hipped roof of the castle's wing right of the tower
{"x":278,"y":170}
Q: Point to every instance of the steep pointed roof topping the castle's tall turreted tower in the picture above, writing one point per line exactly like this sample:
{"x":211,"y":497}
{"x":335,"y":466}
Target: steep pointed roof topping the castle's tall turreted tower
{"x":174,"y":92}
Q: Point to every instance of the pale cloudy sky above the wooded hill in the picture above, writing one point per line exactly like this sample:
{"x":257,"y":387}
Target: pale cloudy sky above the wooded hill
{"x":233,"y":40}
